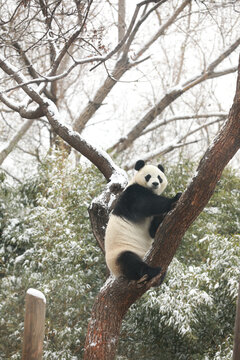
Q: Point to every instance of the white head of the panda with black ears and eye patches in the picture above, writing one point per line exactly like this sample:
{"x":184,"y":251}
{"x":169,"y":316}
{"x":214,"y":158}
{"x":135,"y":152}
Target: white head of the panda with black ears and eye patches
{"x":150,"y":176}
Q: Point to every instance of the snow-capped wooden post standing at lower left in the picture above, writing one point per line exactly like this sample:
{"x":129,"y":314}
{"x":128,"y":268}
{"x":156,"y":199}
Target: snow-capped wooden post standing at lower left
{"x":34,"y":325}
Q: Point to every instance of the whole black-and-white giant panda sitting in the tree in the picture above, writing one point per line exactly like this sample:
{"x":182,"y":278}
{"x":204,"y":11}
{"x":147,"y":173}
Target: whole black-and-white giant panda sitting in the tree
{"x":133,"y":223}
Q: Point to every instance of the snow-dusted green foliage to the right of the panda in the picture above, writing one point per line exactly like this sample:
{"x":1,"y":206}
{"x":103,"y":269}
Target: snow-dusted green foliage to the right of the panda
{"x":191,"y":316}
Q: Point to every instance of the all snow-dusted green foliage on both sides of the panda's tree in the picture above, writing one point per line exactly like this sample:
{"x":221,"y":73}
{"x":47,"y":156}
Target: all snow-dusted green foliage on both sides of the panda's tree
{"x":47,"y":244}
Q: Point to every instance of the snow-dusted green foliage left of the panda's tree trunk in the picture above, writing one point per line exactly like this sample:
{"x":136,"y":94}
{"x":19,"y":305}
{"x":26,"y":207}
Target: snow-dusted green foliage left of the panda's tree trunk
{"x":47,"y":244}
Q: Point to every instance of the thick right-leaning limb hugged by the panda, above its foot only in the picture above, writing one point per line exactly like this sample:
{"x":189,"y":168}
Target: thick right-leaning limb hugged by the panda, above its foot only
{"x":198,"y":193}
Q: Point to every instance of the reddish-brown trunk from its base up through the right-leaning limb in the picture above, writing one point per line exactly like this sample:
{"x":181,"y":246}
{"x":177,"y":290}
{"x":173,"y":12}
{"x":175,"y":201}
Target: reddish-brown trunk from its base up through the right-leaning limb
{"x":116,"y":296}
